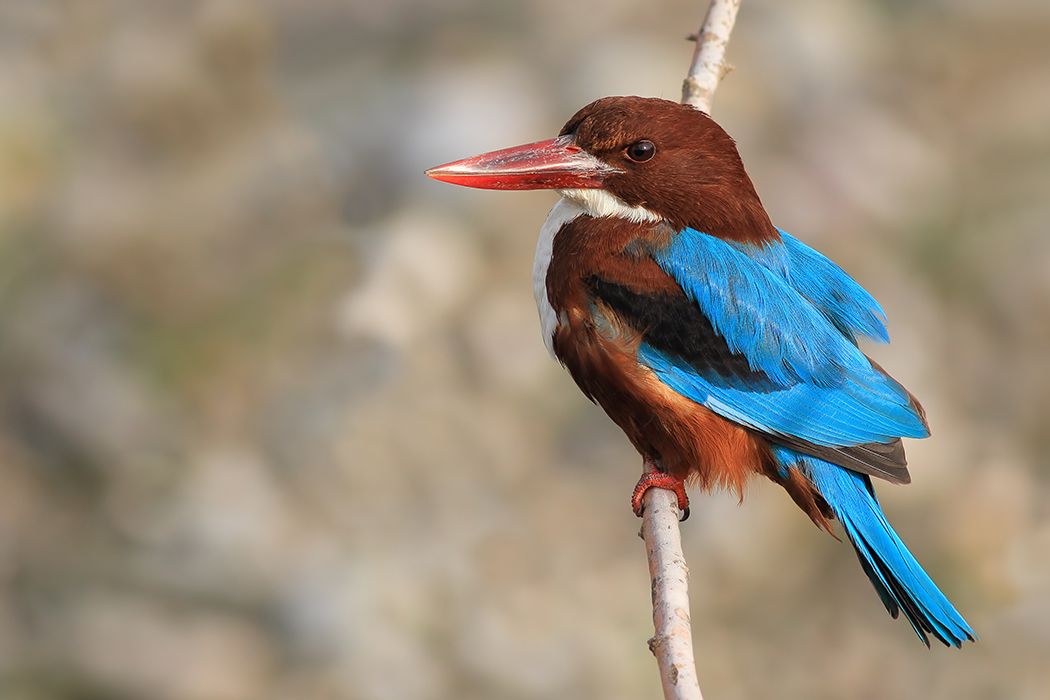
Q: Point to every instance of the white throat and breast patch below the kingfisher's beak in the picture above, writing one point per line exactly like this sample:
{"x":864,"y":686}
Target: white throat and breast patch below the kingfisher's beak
{"x":574,"y":204}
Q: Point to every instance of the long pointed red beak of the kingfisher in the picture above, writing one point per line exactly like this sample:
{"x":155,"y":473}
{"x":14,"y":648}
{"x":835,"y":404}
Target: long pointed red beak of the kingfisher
{"x":549,"y":165}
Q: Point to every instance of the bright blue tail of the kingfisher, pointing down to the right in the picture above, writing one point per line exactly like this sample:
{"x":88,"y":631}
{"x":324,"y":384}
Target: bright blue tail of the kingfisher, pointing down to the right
{"x":900,"y":582}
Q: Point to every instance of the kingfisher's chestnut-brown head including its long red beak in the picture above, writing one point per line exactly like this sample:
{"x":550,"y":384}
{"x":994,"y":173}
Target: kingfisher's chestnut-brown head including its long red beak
{"x":671,"y":160}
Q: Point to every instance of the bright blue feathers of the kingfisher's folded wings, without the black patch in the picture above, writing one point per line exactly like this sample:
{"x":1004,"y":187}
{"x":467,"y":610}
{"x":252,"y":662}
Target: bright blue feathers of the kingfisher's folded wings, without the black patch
{"x":795,"y":316}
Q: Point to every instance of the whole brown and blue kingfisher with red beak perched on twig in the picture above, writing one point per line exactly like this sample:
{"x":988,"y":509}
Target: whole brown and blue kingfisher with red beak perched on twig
{"x":723,"y":347}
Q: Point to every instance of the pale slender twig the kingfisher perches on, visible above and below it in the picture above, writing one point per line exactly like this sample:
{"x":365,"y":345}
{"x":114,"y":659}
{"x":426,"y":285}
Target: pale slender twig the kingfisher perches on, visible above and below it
{"x":674,"y":643}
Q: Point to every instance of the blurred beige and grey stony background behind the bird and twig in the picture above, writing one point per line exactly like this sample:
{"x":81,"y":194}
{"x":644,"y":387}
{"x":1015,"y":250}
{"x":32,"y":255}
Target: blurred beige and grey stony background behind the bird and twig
{"x":277,"y":420}
